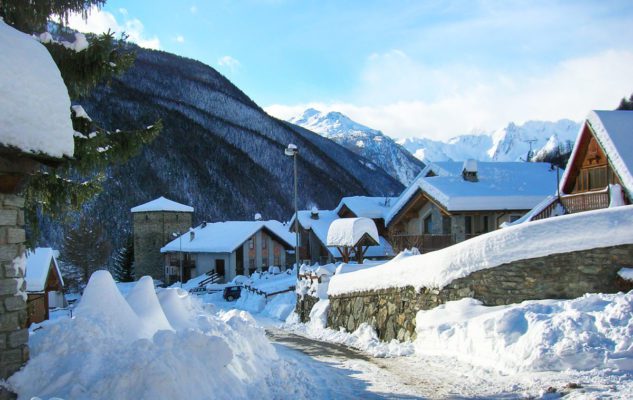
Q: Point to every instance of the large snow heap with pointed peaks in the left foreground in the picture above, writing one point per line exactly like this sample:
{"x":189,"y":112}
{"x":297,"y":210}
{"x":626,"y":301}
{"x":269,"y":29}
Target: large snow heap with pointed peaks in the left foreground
{"x":109,"y":351}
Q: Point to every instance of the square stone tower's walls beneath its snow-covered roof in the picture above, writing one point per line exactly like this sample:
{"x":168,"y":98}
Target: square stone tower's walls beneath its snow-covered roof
{"x":152,"y":230}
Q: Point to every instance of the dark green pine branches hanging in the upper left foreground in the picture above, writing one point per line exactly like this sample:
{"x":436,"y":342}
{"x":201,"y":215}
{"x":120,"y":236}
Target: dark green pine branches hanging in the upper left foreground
{"x":67,"y":184}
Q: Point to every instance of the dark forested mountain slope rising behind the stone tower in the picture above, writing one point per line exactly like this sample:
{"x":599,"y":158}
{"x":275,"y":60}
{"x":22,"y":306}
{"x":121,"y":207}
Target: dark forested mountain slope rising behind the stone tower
{"x":219,"y":152}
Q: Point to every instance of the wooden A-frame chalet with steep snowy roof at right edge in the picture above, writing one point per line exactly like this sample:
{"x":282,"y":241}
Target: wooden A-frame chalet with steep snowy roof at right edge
{"x":599,"y":170}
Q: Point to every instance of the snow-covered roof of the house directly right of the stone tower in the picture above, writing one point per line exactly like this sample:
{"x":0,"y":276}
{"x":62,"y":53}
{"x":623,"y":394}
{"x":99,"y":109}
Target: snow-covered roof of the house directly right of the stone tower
{"x":225,"y":237}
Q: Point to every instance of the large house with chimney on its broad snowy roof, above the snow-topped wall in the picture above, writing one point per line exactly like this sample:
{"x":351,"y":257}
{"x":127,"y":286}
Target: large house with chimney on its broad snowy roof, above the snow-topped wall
{"x":450,"y":202}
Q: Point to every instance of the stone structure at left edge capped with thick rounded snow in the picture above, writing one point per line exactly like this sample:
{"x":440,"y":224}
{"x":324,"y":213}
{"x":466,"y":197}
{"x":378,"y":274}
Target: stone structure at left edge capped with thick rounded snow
{"x":35,"y":128}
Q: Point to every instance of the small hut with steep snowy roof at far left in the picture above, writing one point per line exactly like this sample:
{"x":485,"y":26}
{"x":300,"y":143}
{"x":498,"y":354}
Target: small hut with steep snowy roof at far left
{"x":44,"y":284}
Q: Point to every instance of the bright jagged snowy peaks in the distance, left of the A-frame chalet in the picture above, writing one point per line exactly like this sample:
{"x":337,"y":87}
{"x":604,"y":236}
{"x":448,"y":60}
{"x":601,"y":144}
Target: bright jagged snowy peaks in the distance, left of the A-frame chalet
{"x":511,"y":143}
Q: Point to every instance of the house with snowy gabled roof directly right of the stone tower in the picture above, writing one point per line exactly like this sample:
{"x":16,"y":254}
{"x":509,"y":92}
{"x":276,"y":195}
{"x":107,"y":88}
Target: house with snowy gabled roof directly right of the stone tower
{"x":228,"y":249}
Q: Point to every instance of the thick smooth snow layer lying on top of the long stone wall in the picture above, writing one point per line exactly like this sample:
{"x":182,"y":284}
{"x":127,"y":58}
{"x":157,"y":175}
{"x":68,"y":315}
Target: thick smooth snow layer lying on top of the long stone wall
{"x":609,"y":227}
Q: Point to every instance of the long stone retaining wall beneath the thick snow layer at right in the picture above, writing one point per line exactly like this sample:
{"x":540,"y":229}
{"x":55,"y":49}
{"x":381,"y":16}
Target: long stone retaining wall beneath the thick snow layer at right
{"x":392,"y":312}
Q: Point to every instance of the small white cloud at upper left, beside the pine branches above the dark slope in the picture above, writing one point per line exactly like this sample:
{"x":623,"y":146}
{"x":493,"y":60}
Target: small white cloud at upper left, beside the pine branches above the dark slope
{"x":100,"y":21}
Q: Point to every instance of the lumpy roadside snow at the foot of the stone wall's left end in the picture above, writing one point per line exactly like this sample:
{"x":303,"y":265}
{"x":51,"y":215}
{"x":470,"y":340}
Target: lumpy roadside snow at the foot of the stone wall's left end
{"x":364,"y":338}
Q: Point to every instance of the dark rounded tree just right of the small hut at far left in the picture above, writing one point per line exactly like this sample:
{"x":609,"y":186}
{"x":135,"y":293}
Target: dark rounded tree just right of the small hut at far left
{"x":85,"y":249}
